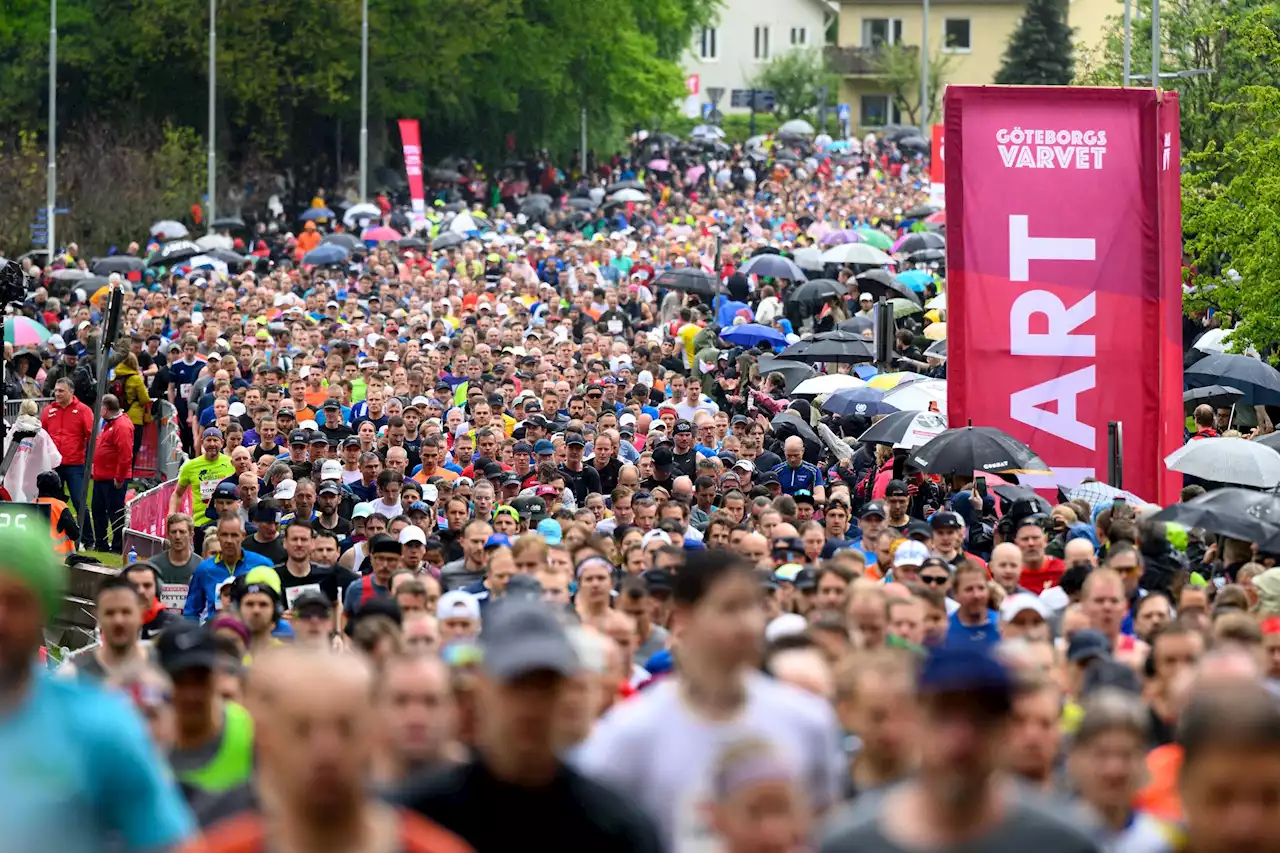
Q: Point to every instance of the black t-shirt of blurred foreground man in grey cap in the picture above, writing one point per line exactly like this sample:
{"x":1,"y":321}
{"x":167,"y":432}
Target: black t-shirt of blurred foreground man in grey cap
{"x":573,"y":813}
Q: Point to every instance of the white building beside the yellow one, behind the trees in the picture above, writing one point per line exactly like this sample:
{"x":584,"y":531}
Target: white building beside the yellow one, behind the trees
{"x":747,"y":35}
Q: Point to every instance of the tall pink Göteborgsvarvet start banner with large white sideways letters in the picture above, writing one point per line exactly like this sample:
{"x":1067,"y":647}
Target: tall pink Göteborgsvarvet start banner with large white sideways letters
{"x":1064,"y":276}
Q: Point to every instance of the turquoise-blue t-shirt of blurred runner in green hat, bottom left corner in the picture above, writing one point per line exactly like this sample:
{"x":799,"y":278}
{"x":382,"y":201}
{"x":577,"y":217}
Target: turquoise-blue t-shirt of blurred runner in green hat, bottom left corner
{"x":80,"y":774}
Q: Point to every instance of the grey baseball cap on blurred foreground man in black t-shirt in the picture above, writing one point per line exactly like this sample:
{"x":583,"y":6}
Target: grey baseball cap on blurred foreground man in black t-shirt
{"x":523,"y":637}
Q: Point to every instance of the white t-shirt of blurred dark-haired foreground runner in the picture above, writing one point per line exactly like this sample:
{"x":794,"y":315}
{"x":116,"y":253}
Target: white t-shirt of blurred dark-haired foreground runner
{"x":657,"y":752}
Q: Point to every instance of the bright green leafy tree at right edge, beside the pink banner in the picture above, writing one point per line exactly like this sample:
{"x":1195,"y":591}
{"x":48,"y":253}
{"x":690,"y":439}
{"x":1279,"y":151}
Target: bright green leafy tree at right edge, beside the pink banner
{"x":1232,"y":202}
